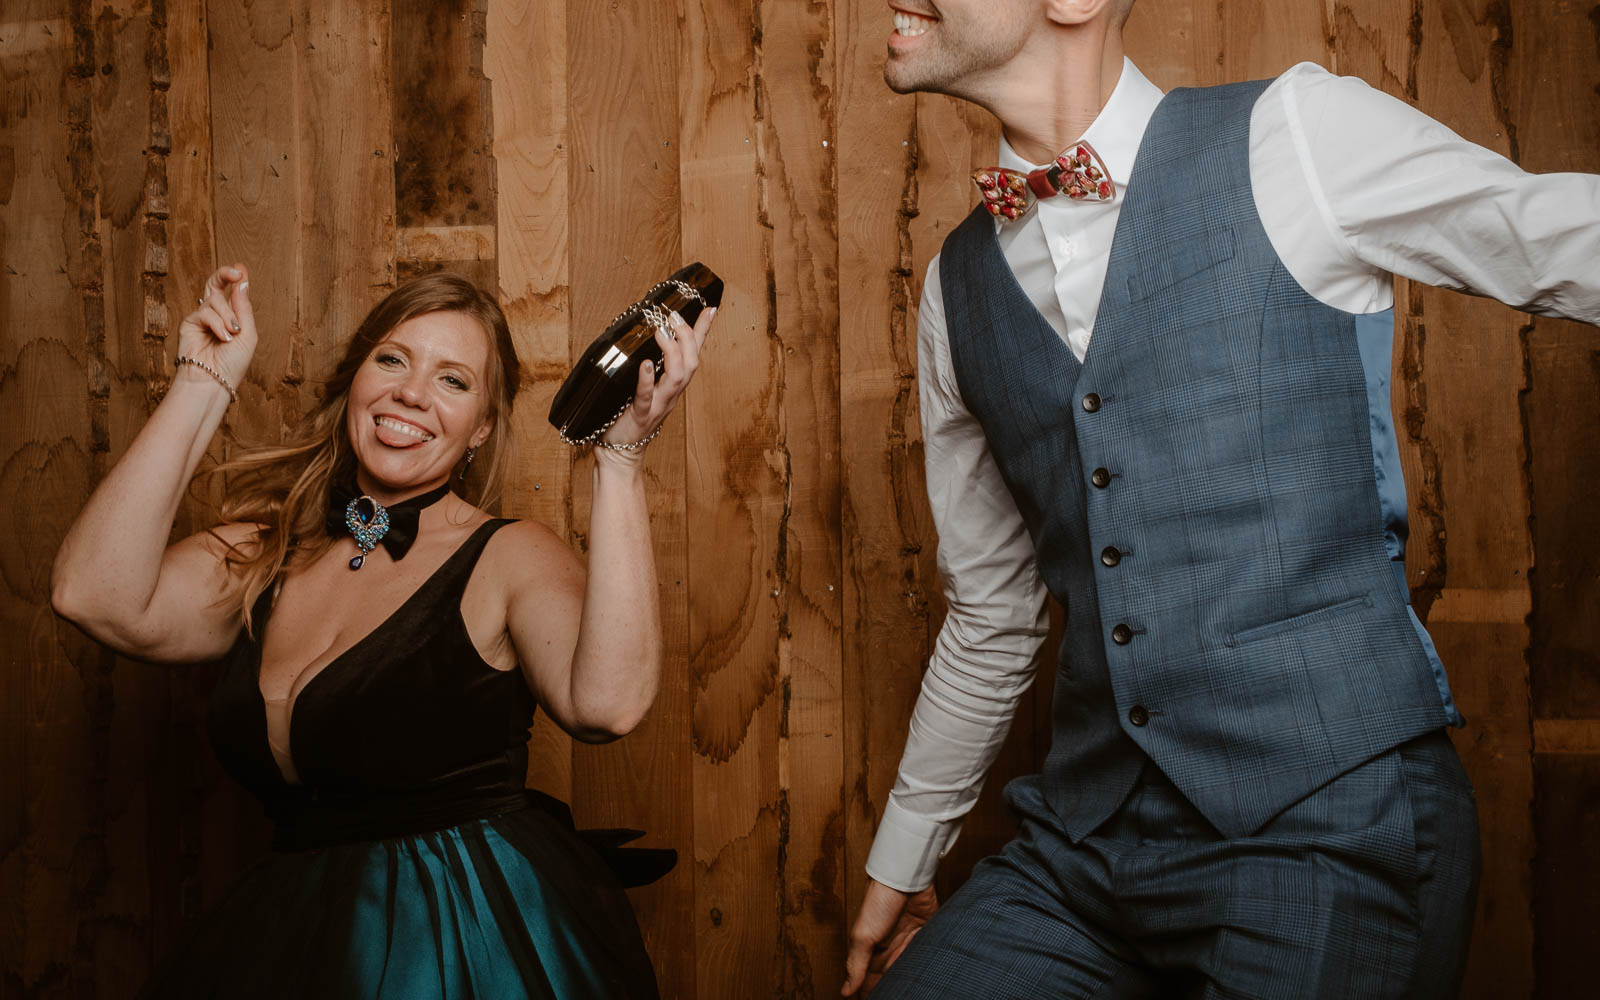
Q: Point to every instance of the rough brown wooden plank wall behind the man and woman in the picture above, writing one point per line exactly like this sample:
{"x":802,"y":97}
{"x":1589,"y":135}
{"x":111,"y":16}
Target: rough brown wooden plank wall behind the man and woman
{"x":570,"y":153}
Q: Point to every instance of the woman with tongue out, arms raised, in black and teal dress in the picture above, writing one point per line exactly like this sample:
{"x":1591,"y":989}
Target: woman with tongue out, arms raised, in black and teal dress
{"x":386,"y":642}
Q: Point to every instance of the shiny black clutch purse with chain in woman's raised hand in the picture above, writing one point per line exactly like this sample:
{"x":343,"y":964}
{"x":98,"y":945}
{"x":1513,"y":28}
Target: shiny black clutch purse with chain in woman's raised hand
{"x":602,"y":383}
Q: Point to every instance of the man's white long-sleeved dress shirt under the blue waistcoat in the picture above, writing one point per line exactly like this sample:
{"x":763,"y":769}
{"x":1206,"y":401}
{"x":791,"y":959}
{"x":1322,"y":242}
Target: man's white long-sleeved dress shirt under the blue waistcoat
{"x":1351,"y":186}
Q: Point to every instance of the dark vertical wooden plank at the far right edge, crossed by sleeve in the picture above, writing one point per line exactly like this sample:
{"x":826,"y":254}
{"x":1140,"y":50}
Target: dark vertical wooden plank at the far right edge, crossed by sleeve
{"x":1553,"y":89}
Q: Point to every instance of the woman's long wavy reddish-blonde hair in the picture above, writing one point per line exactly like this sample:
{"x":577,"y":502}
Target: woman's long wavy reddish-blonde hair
{"x":284,"y":489}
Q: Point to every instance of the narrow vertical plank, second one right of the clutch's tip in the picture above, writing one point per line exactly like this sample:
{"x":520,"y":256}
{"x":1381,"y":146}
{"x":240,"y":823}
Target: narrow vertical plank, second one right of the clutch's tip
{"x":798,"y":79}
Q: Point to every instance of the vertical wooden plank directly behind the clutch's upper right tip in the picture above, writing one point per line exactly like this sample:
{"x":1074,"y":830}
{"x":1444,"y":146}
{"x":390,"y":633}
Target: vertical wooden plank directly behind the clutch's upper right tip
{"x":732,"y":161}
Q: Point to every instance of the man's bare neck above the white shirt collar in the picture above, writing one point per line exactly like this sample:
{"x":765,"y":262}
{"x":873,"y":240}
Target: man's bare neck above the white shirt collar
{"x":1055,"y":105}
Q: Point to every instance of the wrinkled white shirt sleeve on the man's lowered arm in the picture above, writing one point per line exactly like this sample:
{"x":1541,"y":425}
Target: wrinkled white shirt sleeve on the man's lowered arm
{"x":983,"y":662}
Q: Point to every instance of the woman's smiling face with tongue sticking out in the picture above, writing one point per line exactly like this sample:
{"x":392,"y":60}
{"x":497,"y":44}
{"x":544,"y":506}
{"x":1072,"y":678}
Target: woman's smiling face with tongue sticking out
{"x":417,"y":404}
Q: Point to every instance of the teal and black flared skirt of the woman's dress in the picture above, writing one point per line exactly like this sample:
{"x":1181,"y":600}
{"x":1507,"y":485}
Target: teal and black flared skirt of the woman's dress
{"x":510,"y":906}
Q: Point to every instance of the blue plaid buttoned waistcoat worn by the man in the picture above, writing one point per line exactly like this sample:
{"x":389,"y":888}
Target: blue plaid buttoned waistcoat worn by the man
{"x":1202,"y":495}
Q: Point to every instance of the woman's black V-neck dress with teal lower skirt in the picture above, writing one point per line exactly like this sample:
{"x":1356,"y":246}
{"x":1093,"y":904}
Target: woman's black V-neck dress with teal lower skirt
{"x":410,"y":863}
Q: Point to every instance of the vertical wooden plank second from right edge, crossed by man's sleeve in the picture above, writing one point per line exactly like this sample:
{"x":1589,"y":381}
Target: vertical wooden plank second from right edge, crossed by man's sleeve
{"x":1470,"y":422}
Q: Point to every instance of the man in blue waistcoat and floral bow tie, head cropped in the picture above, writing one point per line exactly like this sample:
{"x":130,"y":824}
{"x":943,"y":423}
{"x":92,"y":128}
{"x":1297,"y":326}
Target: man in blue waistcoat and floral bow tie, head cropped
{"x":1154,"y":370}
